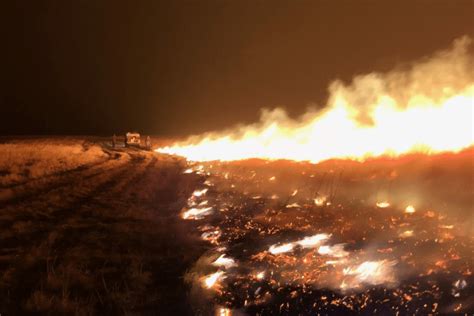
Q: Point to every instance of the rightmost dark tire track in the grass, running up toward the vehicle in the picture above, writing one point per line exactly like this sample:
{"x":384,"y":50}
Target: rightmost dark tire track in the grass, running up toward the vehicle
{"x":55,"y":224}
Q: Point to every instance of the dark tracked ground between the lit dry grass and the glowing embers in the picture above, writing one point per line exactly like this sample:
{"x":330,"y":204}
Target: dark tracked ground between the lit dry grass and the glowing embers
{"x":103,"y":238}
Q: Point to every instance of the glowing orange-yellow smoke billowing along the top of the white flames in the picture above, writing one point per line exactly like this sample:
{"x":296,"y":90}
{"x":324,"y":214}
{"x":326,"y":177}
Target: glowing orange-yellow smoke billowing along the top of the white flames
{"x":429,"y":80}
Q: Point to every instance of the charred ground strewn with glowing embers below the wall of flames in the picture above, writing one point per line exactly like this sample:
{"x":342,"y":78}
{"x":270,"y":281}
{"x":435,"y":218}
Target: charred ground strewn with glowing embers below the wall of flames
{"x":384,"y":236}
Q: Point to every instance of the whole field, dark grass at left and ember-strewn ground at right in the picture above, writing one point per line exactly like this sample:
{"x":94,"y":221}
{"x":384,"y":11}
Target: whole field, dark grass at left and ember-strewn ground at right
{"x":88,"y":229}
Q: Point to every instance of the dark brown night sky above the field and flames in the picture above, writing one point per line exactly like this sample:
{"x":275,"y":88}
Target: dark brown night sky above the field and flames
{"x":178,"y":67}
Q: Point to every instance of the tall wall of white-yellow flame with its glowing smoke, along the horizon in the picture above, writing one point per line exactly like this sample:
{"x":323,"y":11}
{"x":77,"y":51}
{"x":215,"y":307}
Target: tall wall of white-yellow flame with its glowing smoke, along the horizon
{"x":427,"y":108}
